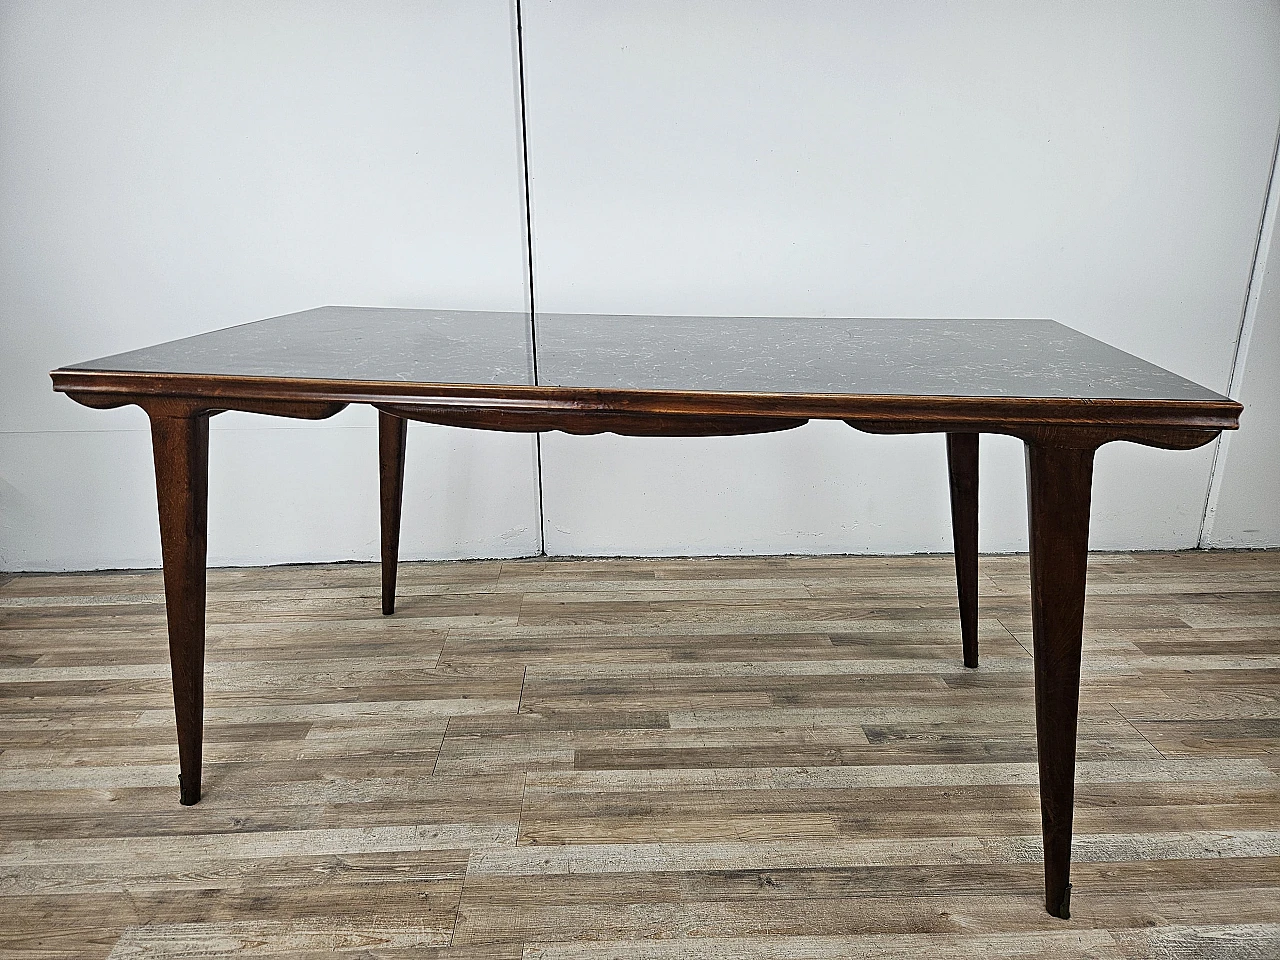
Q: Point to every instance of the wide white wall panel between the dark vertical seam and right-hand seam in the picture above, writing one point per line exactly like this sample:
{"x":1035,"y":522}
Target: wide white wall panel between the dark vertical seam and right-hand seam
{"x":1101,"y":164}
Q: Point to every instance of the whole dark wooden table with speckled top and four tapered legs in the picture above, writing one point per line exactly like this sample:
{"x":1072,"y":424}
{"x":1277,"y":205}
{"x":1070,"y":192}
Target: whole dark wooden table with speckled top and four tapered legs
{"x":1063,"y":394}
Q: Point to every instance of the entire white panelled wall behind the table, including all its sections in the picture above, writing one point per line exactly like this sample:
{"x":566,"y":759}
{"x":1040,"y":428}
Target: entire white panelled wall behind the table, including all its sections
{"x":167,"y":170}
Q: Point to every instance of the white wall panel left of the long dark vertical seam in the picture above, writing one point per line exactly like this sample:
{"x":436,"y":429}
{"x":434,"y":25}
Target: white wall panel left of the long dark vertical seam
{"x":173,"y":168}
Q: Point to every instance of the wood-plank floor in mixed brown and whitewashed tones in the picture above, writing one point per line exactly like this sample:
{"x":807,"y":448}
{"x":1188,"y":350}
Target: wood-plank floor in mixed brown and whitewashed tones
{"x":563,"y":760}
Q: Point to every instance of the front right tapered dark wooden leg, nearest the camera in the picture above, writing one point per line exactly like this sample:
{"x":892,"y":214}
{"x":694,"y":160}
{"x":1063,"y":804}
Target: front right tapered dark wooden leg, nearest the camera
{"x":1059,"y":482}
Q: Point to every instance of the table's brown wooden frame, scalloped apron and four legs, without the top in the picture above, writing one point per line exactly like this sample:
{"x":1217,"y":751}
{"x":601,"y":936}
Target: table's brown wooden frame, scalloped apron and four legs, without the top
{"x":1060,"y":435}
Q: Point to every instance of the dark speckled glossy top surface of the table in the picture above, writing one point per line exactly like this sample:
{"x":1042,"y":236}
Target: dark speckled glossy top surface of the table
{"x":738,"y":355}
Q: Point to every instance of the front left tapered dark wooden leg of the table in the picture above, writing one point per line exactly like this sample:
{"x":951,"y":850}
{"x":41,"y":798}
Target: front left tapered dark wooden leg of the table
{"x":181,"y":449}
